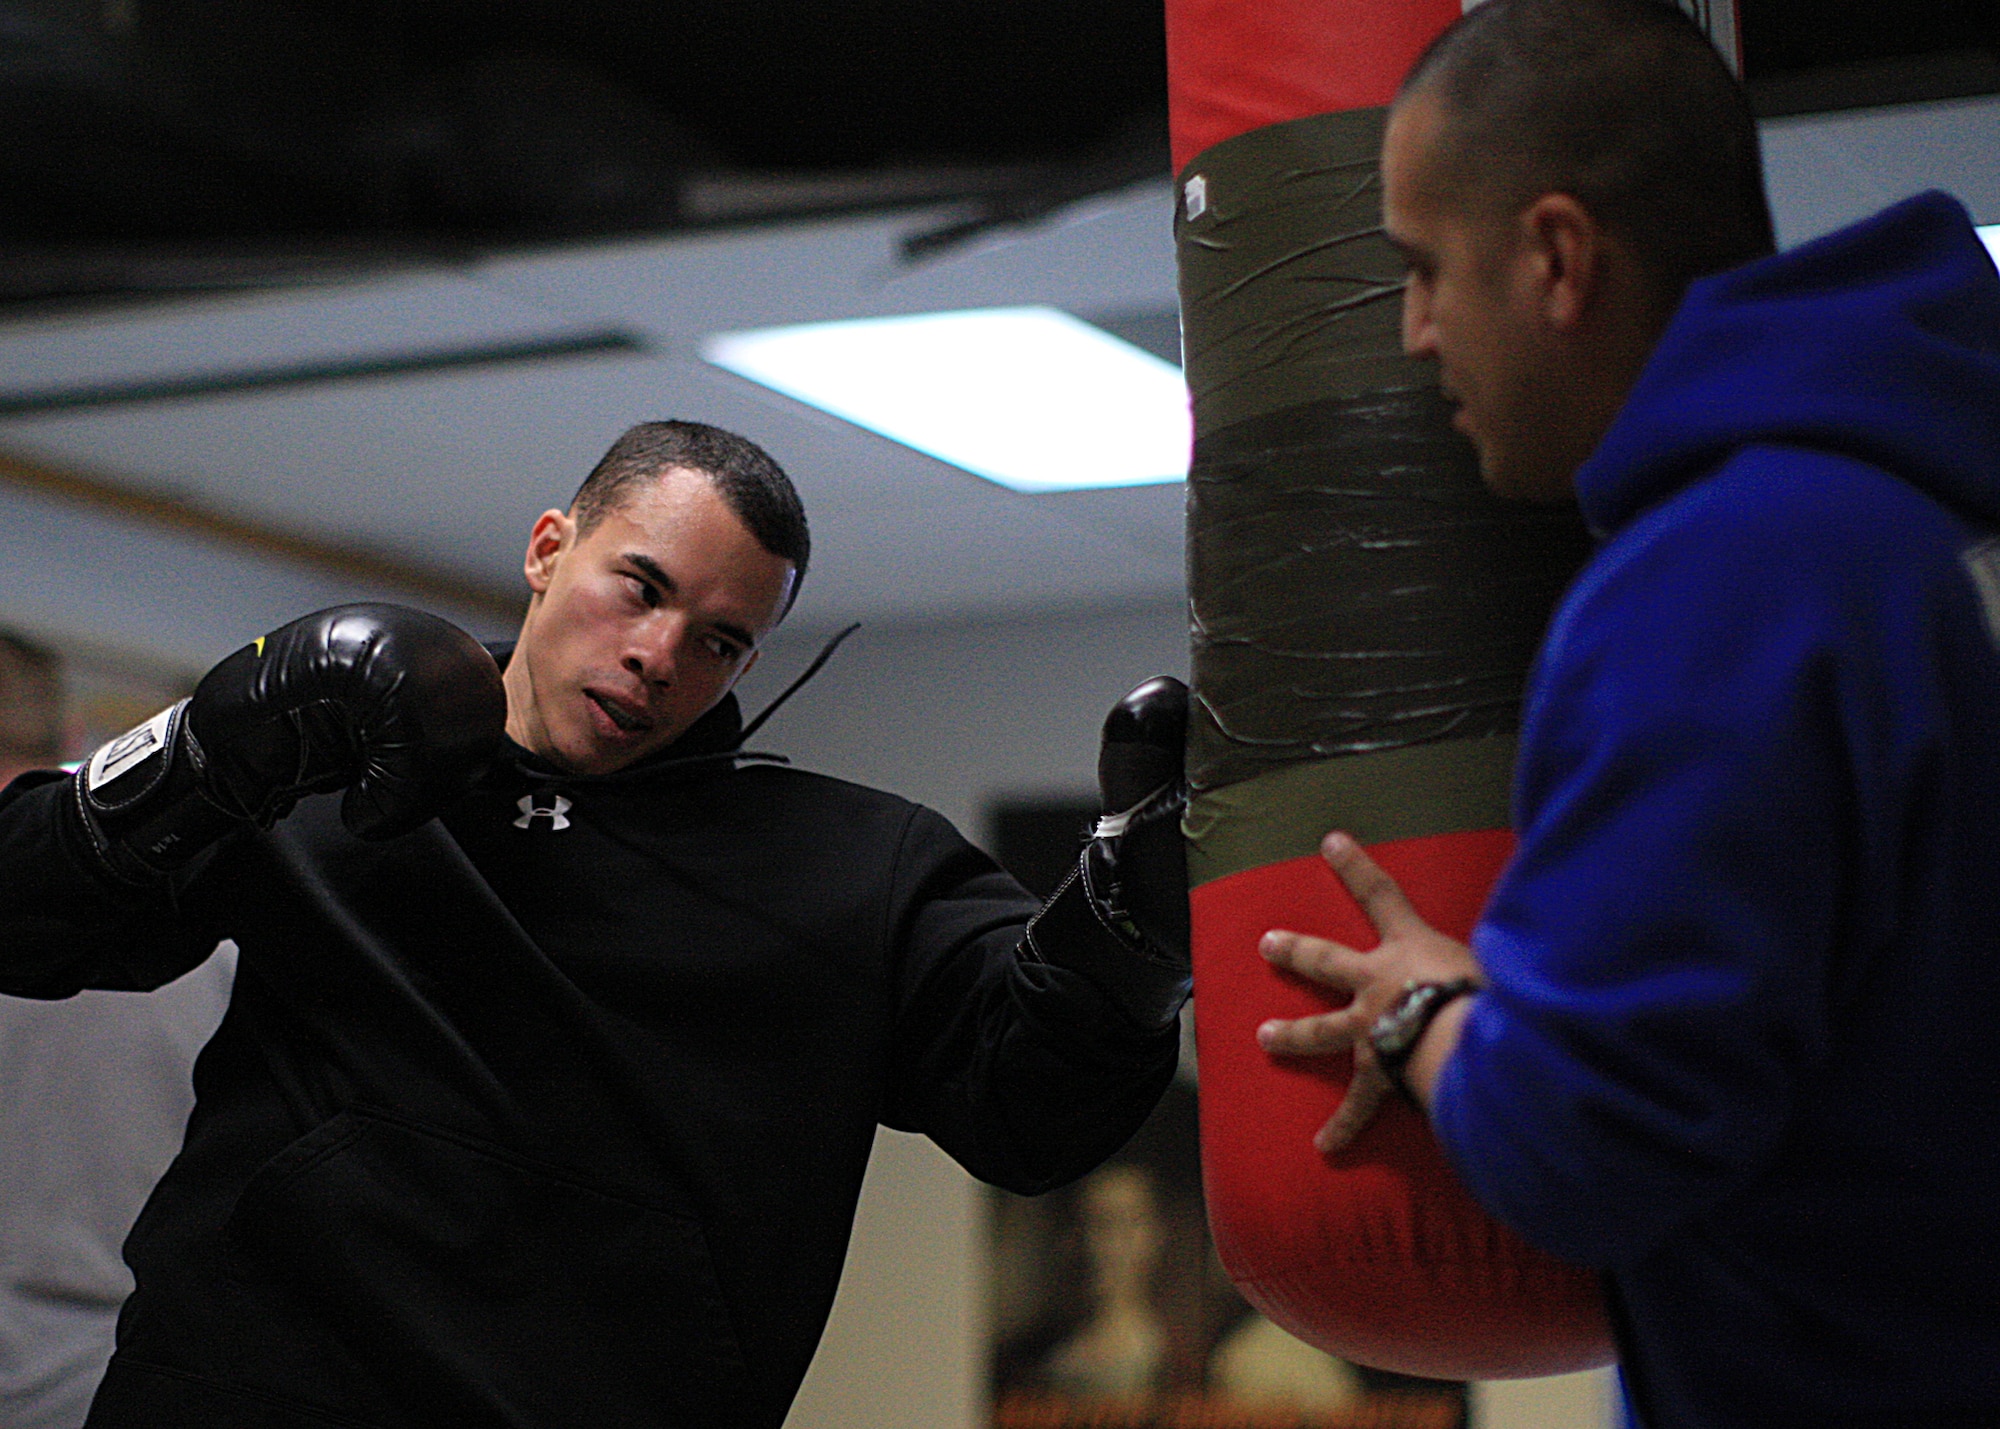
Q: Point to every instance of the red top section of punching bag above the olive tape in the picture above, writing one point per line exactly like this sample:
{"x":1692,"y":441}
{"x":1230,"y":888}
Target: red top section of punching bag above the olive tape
{"x":1235,"y":67}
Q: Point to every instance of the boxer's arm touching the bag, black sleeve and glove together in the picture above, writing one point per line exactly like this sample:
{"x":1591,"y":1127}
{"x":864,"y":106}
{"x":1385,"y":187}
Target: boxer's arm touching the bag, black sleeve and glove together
{"x":1033,"y":1054}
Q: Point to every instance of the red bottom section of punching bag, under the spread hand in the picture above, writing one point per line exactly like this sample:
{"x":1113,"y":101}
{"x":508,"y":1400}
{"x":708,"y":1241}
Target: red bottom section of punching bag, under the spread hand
{"x":1375,"y":1254}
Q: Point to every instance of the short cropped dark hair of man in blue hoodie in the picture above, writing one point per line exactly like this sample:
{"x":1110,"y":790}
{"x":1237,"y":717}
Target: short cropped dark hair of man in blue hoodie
{"x":1625,"y":105}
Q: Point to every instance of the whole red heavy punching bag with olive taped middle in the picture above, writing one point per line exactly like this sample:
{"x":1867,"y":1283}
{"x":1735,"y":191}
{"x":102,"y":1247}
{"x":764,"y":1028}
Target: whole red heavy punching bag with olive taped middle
{"x":1363,"y":615}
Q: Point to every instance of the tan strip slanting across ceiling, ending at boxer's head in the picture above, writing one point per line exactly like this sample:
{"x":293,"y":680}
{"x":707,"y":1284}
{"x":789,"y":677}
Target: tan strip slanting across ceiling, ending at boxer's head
{"x":259,"y":539}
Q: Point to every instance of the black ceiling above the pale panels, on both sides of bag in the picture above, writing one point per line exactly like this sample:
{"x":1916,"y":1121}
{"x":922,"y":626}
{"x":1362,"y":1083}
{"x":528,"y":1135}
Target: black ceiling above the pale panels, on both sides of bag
{"x":193,"y":143}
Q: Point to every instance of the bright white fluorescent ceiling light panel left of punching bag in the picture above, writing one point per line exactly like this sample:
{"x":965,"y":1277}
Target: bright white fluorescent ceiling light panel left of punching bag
{"x":1027,"y":397}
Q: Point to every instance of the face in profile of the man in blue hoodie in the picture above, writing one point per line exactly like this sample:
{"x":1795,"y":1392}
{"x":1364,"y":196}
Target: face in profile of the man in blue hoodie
{"x":1471,"y":305}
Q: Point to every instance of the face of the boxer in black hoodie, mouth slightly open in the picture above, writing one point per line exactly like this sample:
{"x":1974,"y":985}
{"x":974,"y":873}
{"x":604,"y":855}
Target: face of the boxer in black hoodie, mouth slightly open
{"x":639,"y":627}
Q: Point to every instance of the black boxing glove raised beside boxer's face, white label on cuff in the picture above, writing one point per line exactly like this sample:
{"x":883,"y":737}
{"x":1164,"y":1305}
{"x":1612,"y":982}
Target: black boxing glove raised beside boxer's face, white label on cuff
{"x":393,"y":705}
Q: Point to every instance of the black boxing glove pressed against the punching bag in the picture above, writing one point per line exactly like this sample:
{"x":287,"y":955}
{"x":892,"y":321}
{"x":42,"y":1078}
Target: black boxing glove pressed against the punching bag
{"x":1131,"y":882}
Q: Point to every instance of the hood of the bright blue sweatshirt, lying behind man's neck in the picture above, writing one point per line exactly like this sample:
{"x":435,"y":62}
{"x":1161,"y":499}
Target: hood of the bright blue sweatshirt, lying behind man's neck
{"x":1879,"y":341}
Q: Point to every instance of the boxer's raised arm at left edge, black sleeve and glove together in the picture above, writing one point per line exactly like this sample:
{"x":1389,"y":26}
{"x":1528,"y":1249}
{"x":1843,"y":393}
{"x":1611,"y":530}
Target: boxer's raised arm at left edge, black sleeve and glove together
{"x":391,"y":705}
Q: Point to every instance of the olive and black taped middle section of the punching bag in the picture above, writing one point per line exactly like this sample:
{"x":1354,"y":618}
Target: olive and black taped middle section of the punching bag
{"x":1363,"y":609}
